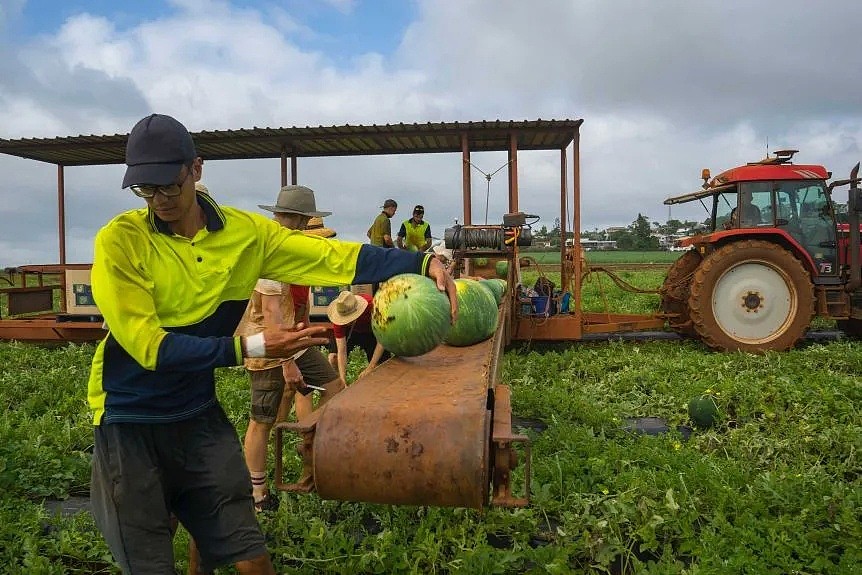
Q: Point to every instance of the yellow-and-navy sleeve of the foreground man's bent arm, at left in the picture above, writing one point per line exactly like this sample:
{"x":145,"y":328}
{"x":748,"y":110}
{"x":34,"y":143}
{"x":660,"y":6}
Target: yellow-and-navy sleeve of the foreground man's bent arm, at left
{"x":124,"y":293}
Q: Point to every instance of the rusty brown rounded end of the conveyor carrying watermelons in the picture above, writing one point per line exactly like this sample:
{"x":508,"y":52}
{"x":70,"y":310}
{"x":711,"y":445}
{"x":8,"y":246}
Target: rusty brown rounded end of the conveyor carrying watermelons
{"x":413,"y":433}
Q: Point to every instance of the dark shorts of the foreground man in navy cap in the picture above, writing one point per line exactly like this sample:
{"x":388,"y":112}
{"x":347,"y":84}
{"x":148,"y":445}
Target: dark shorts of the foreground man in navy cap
{"x":142,"y":473}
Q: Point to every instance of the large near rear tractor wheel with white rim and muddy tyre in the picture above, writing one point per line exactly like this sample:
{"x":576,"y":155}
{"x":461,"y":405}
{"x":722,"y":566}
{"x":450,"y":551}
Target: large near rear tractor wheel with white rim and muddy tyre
{"x":751,"y":296}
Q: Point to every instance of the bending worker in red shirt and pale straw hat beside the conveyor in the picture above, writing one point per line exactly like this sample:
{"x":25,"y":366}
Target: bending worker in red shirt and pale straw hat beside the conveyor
{"x":350,"y":315}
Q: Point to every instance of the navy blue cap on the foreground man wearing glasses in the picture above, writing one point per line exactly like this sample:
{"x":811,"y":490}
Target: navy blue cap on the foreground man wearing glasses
{"x":156,"y":150}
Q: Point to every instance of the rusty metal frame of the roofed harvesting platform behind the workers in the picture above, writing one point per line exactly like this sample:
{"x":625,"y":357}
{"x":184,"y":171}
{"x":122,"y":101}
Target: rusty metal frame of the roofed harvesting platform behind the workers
{"x":291,"y":144}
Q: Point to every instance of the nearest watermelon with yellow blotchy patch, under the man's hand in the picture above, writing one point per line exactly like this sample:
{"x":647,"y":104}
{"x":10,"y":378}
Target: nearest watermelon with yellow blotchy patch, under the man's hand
{"x":411,"y":316}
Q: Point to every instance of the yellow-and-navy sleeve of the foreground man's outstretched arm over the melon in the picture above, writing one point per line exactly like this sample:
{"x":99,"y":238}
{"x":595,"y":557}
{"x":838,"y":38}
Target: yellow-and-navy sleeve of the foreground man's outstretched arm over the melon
{"x":293,"y":257}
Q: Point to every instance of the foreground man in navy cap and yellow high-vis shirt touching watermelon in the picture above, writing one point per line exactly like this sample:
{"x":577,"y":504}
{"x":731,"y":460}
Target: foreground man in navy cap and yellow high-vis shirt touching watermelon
{"x":172,"y":281}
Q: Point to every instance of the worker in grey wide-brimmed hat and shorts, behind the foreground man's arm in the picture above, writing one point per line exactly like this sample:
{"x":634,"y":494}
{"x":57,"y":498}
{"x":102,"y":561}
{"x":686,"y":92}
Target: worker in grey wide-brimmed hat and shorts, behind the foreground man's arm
{"x":274,"y":382}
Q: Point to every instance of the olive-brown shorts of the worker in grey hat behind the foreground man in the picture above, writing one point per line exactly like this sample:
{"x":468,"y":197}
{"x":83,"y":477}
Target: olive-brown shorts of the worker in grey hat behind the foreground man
{"x":267,"y":385}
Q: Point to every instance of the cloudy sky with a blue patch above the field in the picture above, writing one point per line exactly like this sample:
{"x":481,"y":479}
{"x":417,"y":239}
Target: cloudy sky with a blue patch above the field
{"x":665,"y":88}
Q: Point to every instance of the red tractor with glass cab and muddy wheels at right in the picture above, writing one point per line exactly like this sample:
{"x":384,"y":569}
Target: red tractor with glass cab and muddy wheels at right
{"x":778,"y":251}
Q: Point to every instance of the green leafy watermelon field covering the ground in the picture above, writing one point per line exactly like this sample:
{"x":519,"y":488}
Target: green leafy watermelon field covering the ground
{"x":773,"y":487}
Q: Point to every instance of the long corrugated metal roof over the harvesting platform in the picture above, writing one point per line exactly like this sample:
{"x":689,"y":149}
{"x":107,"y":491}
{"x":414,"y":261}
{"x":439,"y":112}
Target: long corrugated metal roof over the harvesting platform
{"x":347,"y":140}
